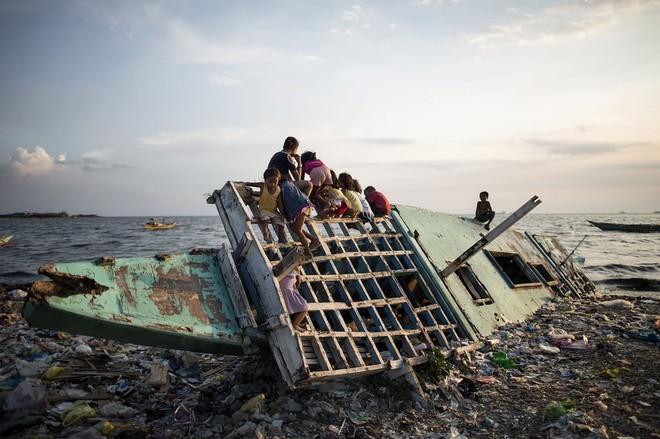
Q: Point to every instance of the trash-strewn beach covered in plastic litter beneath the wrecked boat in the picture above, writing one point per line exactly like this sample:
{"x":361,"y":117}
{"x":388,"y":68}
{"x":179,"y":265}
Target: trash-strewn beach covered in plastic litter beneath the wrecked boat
{"x":584,"y":368}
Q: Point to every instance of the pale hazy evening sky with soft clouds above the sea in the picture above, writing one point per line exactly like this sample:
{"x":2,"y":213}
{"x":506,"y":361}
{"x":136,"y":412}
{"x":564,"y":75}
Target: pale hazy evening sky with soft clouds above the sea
{"x":121,"y":108}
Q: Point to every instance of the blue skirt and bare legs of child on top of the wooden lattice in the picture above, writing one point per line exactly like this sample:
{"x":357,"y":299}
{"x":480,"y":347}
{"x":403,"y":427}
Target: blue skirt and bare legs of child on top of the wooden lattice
{"x":296,"y":208}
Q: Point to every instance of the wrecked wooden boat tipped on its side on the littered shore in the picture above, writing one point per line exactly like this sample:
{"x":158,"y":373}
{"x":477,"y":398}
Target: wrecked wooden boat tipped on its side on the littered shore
{"x":381,"y":296}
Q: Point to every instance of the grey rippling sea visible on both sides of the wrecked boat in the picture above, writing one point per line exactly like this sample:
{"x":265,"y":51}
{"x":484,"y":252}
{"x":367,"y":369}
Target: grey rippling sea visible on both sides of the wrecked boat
{"x":614,"y":261}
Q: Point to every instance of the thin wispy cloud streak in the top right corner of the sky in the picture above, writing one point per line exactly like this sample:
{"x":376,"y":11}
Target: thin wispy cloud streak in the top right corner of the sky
{"x":566,"y":22}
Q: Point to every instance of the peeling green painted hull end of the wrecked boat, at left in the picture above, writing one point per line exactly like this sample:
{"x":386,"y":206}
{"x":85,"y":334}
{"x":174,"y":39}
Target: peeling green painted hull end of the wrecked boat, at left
{"x":178,"y":301}
